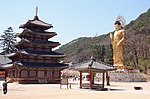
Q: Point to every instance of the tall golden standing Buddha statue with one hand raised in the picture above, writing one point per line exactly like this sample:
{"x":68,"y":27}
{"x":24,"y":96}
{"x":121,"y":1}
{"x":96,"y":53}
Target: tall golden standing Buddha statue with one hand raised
{"x":118,"y":39}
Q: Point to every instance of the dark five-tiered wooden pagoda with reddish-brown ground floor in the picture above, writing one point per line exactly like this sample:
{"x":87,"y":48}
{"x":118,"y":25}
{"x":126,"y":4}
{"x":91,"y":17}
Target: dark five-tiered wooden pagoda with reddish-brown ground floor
{"x":35,"y":61}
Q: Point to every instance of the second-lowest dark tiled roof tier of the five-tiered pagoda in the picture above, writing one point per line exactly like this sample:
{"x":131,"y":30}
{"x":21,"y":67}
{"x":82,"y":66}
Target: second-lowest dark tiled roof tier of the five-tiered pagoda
{"x":36,"y":53}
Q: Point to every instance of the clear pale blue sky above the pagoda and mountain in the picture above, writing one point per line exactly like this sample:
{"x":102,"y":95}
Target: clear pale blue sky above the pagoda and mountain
{"x":71,"y":18}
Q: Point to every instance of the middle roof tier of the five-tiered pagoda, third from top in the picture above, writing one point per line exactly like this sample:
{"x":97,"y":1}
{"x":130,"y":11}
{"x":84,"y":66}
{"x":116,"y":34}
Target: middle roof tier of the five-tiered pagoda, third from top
{"x":41,"y":43}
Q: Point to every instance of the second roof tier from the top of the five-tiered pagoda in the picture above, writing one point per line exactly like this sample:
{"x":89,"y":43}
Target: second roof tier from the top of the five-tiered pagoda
{"x":43,"y":33}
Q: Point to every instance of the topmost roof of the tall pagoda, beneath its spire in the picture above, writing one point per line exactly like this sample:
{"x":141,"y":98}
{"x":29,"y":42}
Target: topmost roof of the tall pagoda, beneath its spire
{"x":37,"y":23}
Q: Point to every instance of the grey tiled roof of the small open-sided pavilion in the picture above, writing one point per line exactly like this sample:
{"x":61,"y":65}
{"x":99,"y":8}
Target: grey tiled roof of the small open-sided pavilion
{"x":93,"y":66}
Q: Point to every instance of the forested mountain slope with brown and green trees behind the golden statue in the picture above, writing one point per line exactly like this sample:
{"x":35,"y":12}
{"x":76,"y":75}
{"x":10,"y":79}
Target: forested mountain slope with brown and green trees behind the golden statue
{"x":137,"y":48}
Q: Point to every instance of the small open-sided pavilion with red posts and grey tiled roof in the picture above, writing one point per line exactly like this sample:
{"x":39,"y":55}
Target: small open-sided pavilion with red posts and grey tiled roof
{"x":92,"y":67}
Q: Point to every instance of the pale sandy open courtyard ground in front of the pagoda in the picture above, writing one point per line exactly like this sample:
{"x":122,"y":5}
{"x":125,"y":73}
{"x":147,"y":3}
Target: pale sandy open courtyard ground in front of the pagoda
{"x":117,"y":90}
